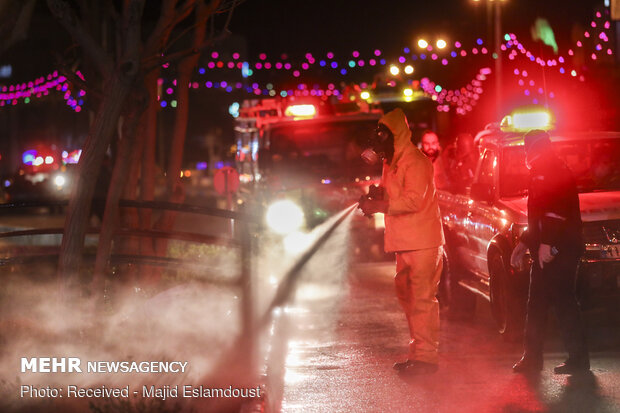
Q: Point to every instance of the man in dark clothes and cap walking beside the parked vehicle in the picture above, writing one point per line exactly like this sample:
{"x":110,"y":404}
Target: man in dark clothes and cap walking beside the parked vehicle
{"x":554,"y":238}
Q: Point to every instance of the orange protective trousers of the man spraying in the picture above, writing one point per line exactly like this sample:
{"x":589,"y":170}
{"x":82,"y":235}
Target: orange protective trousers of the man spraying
{"x":417,"y":279}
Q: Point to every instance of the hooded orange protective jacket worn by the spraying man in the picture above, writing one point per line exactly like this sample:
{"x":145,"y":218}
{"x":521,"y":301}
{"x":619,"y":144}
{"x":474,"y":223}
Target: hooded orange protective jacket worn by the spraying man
{"x":412,"y":221}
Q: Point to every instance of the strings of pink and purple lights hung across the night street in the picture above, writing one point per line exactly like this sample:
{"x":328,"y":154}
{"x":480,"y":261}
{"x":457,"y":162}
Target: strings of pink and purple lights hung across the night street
{"x":596,"y":35}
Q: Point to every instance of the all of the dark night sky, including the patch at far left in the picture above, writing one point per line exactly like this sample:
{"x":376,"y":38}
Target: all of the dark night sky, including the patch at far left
{"x":341,"y":26}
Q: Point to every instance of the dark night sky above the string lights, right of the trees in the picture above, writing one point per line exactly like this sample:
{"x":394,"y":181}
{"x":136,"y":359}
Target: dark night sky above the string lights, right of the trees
{"x":275,"y":26}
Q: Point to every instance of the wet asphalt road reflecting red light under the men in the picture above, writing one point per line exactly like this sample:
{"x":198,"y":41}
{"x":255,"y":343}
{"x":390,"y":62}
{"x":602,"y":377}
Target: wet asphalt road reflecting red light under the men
{"x":342,"y":347}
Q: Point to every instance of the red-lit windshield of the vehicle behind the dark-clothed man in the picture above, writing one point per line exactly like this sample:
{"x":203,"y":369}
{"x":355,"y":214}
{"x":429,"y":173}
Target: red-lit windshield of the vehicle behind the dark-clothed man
{"x":595,"y":165}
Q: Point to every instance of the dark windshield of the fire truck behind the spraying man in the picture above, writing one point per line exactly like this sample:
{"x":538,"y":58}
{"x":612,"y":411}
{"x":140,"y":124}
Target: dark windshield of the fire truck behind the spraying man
{"x":322,"y":149}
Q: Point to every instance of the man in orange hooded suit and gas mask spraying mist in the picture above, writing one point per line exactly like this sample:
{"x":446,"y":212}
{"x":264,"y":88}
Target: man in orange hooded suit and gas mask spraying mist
{"x":413,"y":231}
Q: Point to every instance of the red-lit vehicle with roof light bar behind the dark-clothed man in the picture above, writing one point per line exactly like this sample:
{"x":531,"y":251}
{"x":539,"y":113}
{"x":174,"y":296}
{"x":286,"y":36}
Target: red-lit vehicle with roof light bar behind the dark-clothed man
{"x":483,"y":225}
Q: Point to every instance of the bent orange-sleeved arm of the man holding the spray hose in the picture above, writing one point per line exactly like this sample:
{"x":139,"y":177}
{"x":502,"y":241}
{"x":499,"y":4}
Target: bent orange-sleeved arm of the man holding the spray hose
{"x":417,"y":183}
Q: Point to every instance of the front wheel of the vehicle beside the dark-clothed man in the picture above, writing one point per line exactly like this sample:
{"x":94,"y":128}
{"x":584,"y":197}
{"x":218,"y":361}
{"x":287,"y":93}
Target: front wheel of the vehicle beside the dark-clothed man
{"x":507,"y":308}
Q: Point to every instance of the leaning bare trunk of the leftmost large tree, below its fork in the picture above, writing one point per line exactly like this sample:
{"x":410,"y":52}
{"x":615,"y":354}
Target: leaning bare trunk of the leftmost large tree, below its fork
{"x":78,"y":212}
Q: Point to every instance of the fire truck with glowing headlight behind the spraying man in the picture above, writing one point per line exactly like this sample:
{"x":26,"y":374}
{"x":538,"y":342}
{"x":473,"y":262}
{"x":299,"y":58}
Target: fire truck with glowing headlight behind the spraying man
{"x":299,"y":162}
